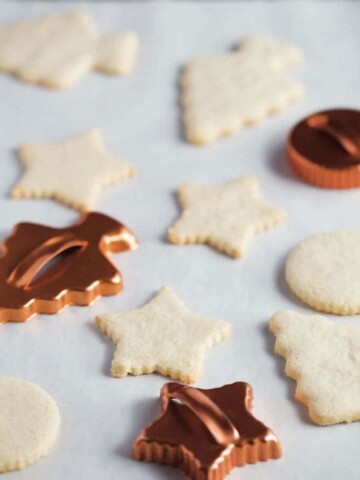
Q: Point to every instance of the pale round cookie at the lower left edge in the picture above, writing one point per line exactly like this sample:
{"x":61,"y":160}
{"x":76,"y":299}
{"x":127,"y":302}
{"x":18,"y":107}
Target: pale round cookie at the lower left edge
{"x":29,"y":423}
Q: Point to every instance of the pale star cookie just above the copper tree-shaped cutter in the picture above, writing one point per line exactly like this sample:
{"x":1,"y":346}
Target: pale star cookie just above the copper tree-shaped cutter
{"x":72,"y":172}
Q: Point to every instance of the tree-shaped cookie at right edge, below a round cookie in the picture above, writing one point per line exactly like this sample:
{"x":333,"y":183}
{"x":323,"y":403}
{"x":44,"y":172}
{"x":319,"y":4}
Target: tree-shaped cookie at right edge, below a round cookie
{"x":324,"y":358}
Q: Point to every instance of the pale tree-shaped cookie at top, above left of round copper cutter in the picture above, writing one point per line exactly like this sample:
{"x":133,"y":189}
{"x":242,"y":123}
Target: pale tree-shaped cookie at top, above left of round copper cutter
{"x":223,"y":93}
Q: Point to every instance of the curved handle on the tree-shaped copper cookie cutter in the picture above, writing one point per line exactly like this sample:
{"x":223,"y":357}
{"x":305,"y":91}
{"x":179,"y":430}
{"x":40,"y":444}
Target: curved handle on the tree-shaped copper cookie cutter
{"x":31,"y":264}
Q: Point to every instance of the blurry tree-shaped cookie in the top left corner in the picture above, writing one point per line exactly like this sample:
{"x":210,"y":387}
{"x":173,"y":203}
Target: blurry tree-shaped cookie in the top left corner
{"x":58,"y":50}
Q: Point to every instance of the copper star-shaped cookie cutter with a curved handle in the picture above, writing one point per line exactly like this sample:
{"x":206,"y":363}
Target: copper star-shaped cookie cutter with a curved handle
{"x":206,"y":432}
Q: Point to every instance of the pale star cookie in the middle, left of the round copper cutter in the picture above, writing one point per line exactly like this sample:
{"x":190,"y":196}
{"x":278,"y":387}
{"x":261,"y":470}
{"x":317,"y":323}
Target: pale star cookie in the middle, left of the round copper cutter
{"x":225,"y":217}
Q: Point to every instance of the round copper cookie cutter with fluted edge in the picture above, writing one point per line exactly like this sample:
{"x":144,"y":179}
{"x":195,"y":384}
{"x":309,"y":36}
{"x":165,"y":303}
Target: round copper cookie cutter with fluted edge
{"x":324,"y":148}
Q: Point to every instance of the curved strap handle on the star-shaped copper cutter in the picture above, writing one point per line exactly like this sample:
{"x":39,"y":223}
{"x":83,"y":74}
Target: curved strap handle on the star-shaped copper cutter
{"x":213,"y":418}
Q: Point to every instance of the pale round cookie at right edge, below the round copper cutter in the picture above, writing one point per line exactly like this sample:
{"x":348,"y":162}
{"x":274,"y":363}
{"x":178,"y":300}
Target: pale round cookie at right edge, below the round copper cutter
{"x":324,"y":272}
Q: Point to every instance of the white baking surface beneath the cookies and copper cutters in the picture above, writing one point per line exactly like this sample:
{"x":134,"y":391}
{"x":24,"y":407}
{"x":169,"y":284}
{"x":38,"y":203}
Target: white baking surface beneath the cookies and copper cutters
{"x":139,"y":116}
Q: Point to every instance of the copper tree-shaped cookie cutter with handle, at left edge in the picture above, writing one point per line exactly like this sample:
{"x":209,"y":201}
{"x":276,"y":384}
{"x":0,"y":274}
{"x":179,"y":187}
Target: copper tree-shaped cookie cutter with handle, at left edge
{"x":82,"y":273}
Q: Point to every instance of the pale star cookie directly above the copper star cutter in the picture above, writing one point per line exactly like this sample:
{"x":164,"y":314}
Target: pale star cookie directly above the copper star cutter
{"x":163,"y":336}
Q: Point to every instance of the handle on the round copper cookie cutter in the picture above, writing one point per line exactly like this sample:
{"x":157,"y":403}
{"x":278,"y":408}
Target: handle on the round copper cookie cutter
{"x":341,"y":132}
